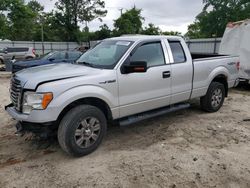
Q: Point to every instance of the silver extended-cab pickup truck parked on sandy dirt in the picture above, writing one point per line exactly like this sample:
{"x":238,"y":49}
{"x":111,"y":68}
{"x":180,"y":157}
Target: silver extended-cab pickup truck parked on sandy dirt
{"x":124,"y":80}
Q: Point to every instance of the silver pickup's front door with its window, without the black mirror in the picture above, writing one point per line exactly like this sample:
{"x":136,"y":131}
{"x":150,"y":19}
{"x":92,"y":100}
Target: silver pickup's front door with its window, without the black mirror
{"x":140,"y":92}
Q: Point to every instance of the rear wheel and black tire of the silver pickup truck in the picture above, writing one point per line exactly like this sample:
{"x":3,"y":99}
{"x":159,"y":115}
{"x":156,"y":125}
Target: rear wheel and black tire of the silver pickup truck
{"x":212,"y":102}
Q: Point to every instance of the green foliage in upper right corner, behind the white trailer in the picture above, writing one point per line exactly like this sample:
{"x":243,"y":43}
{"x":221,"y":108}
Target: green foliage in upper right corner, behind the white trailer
{"x":212,"y":21}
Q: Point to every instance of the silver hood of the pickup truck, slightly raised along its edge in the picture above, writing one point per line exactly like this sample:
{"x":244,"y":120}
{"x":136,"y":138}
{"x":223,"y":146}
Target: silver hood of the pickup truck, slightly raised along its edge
{"x":31,"y":77}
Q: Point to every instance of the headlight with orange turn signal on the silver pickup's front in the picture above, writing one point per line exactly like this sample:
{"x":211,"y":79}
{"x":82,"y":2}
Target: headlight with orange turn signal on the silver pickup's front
{"x":36,"y":101}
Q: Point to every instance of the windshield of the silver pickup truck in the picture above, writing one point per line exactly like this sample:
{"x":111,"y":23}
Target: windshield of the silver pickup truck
{"x":105,"y":55}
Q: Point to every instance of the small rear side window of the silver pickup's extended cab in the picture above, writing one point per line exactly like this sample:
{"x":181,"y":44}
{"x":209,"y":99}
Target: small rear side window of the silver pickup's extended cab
{"x":177,"y":51}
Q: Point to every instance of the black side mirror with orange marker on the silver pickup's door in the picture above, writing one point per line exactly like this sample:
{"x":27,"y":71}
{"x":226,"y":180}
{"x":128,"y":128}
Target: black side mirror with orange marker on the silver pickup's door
{"x":135,"y":66}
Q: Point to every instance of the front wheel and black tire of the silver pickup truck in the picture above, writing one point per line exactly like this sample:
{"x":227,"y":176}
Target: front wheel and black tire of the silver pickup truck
{"x":70,"y":126}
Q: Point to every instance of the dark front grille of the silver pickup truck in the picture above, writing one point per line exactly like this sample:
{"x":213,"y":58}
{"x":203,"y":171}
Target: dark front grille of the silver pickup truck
{"x":15,"y":93}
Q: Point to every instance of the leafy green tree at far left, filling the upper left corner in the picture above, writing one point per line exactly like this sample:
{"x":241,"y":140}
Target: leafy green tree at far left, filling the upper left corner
{"x":21,"y":20}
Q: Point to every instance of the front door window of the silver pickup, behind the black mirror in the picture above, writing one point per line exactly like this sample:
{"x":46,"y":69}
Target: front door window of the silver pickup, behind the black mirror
{"x":151,"y":53}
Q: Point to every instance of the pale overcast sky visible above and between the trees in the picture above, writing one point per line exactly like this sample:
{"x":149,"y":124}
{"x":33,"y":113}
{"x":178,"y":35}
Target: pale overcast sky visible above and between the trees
{"x":169,"y":15}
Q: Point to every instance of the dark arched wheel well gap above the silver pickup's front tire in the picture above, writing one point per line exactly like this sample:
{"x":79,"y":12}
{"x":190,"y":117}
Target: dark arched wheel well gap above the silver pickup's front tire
{"x":99,"y":103}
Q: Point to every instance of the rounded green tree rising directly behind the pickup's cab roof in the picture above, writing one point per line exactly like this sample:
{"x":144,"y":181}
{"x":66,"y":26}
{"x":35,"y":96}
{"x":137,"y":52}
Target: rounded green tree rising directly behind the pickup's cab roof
{"x":129,"y":22}
